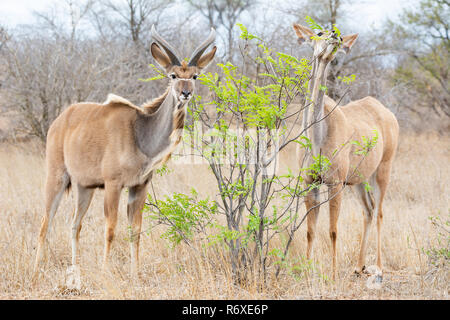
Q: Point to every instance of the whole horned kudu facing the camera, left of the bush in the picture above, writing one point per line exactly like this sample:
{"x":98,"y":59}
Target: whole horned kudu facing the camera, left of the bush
{"x":117,"y":145}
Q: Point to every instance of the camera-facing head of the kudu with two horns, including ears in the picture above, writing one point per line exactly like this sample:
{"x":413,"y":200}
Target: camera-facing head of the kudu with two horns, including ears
{"x":182,"y":74}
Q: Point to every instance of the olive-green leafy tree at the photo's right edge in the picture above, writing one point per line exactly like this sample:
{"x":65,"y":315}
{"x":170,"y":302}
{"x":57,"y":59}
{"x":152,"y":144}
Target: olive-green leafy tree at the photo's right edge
{"x":422,"y":39}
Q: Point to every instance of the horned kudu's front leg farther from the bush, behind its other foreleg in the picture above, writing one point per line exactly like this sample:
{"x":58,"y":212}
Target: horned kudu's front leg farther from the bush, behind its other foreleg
{"x":111,"y":205}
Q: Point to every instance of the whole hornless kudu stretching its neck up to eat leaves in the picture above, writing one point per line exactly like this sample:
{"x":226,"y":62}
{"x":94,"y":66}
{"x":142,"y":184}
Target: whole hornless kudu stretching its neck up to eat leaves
{"x":331,"y":137}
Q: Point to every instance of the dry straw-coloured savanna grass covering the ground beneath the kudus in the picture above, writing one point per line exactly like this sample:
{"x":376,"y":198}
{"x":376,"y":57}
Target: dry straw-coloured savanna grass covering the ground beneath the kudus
{"x":419,"y":189}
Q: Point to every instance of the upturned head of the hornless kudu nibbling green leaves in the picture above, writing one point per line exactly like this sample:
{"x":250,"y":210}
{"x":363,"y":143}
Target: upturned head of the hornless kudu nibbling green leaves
{"x":326,"y":44}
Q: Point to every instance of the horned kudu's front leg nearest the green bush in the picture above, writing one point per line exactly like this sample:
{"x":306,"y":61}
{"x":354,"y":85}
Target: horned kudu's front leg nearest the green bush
{"x":136,"y":200}
